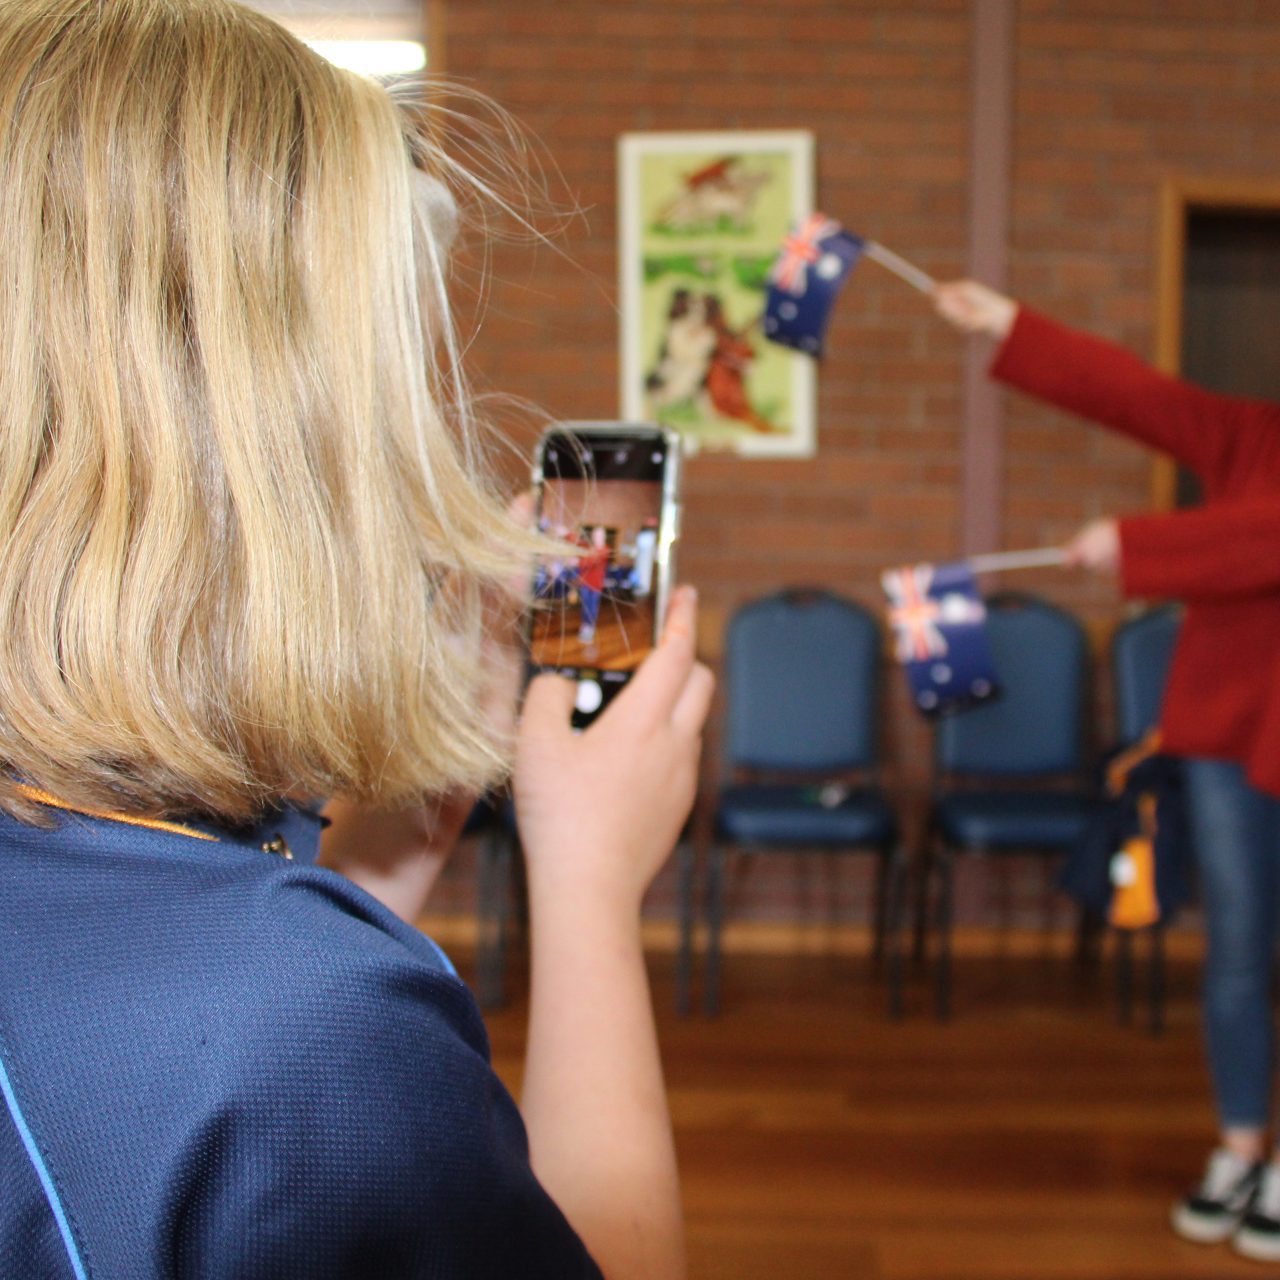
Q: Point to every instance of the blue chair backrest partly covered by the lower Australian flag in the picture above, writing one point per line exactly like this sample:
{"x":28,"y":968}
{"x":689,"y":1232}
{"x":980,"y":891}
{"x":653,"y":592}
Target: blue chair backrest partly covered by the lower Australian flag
{"x":1036,"y":726}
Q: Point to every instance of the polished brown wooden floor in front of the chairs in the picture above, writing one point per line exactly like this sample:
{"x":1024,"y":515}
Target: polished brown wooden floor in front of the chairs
{"x":1032,"y":1139}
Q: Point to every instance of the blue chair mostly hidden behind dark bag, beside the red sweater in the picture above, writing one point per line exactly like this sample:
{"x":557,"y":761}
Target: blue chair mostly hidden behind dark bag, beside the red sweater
{"x":1141,"y":652}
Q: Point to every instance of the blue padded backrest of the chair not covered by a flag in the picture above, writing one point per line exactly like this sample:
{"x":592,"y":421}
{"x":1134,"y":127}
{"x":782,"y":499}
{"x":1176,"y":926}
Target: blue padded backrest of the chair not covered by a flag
{"x":801,"y":684}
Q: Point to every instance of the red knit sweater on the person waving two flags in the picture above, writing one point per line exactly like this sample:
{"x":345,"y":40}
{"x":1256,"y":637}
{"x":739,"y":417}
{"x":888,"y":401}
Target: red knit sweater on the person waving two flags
{"x":1223,"y":560}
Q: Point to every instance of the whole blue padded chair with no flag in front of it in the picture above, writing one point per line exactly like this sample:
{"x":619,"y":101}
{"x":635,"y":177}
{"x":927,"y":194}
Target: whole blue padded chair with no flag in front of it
{"x":802,"y":752}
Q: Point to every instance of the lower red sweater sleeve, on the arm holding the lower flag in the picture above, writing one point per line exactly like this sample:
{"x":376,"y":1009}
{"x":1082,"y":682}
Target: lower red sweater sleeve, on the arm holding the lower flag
{"x":1226,"y":550}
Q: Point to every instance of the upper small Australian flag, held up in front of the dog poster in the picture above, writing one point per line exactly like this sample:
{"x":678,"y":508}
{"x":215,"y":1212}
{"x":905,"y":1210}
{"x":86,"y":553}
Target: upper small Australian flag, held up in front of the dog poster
{"x":811,"y":271}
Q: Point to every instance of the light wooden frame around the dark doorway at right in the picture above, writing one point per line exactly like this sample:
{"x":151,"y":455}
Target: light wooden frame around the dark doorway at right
{"x":1180,"y":198}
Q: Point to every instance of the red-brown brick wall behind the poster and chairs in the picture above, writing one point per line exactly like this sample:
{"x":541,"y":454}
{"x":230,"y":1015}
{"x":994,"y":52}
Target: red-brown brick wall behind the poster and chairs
{"x":1110,"y":97}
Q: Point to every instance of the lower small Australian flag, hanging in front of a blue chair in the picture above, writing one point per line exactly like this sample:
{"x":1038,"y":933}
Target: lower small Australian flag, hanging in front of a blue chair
{"x":939,"y":629}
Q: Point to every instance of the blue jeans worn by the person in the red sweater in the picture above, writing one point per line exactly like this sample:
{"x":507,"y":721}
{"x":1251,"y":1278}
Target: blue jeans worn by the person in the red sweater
{"x":1237,"y":836}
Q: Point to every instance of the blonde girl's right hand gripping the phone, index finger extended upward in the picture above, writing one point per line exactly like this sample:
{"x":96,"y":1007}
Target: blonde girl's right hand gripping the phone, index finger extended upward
{"x":600,"y":811}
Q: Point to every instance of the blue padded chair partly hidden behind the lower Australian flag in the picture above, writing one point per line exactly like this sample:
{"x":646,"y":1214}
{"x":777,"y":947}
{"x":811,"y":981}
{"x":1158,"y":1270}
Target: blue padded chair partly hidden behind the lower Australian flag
{"x":1012,"y":775}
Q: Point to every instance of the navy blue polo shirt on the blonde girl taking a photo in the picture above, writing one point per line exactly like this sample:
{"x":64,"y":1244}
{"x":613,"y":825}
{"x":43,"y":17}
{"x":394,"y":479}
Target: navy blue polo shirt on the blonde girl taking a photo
{"x":221,"y":1062}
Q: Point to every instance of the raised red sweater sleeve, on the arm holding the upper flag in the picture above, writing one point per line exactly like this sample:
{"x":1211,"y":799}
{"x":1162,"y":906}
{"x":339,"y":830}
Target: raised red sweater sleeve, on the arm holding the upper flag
{"x":1113,"y":387}
